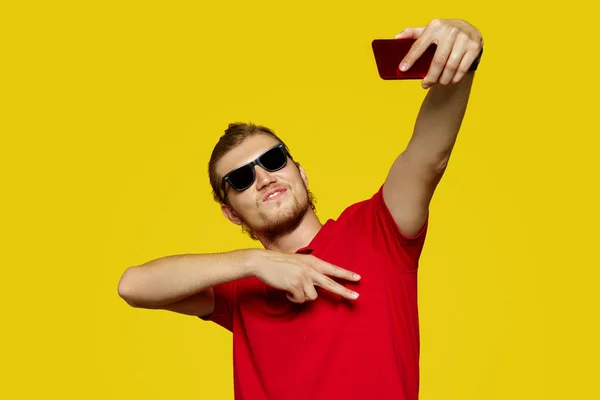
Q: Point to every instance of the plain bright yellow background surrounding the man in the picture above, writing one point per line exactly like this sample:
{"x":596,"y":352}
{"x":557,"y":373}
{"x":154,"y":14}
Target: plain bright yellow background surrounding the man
{"x":110,"y":111}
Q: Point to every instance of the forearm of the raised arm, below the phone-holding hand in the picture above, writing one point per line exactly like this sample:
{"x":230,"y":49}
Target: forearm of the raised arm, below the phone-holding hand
{"x":438,"y":123}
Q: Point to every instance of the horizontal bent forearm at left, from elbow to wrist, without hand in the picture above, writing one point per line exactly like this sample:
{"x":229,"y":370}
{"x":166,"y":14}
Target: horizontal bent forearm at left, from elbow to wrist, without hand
{"x":173,"y":278}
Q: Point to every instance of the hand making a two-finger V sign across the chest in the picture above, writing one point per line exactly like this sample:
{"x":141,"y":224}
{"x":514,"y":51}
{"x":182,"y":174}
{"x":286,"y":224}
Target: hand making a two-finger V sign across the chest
{"x":298,"y":274}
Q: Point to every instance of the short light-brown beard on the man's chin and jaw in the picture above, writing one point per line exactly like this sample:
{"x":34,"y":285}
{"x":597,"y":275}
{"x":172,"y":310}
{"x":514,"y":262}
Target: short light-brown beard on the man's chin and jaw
{"x":282,"y":222}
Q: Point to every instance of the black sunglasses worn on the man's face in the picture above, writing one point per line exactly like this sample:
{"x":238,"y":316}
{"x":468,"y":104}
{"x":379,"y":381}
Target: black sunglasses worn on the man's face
{"x":243,"y":177}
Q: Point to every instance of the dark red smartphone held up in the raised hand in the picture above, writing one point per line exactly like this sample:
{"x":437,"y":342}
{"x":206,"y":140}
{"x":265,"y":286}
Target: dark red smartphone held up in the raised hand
{"x":390,"y":52}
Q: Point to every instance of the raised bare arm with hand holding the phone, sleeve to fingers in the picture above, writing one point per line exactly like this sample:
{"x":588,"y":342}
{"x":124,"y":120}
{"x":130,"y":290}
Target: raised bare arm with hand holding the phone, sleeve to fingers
{"x":415,"y":174}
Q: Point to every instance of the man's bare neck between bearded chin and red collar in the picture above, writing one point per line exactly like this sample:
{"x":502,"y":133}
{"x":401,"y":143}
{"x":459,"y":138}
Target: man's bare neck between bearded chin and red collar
{"x":300,"y":236}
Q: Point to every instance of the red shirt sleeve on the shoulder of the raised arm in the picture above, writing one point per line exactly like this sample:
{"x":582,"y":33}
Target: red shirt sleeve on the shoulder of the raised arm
{"x":374,"y":219}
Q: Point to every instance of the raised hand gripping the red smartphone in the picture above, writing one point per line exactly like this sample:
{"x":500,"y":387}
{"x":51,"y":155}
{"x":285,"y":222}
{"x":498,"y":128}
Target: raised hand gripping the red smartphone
{"x":458,"y":45}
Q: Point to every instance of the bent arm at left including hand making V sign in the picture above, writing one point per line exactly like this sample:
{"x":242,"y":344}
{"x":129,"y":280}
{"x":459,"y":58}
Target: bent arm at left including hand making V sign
{"x":183,"y":283}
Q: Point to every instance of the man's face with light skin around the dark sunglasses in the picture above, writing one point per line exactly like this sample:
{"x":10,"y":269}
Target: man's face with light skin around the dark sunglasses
{"x":276,"y":202}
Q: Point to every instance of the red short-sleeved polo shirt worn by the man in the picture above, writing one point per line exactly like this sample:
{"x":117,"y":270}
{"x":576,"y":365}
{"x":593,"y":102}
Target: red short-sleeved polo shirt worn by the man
{"x":333,"y":348}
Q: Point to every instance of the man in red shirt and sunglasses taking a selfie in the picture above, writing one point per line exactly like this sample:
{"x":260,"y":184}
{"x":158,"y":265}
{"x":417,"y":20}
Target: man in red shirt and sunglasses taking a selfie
{"x":324,"y":311}
